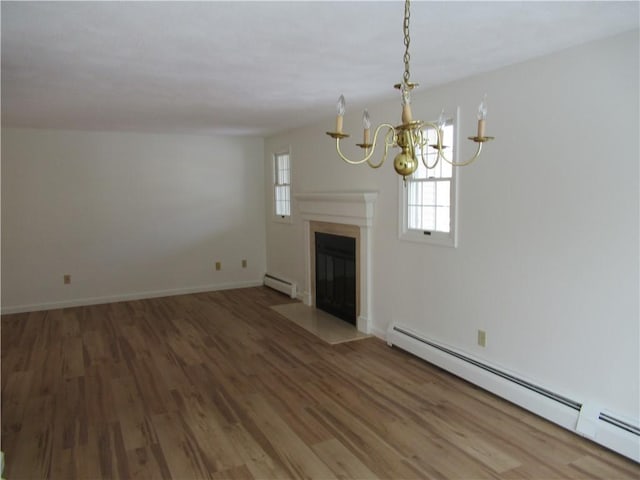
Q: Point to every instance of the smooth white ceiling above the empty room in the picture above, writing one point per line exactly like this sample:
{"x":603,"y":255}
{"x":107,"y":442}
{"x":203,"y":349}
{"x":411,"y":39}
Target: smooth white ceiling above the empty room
{"x":260,"y":67}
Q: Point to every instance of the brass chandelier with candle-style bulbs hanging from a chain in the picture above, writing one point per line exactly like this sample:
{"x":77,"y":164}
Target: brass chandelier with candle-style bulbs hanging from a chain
{"x":409,"y":136}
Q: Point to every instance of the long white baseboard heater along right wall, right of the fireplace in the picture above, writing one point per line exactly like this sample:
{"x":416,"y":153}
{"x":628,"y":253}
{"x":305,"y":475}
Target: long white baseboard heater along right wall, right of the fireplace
{"x":583,"y":418}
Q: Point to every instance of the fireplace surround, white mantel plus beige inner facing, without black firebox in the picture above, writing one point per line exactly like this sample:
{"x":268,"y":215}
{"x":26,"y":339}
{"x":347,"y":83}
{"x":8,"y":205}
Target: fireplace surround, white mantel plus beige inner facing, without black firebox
{"x":350,"y":215}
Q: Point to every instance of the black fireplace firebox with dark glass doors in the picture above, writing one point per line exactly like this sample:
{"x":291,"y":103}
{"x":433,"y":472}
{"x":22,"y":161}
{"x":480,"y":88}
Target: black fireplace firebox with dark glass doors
{"x":336,"y":275}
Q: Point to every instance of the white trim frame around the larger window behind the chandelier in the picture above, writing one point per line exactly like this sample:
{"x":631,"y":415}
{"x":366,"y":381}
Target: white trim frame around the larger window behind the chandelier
{"x":434,"y":238}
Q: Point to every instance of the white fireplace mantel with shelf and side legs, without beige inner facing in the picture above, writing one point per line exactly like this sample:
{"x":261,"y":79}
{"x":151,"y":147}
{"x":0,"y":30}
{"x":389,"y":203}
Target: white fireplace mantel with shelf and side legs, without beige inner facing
{"x":345,"y":208}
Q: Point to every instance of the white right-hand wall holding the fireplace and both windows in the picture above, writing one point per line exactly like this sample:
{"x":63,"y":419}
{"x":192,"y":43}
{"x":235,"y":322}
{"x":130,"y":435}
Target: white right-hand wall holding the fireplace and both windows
{"x":548,"y":256}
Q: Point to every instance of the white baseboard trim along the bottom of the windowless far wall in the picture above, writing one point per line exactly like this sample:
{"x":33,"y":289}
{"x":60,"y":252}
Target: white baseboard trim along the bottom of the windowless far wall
{"x":79,"y":302}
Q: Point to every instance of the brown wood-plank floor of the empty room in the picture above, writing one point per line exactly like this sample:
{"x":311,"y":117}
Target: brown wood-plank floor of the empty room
{"x":218,"y":385}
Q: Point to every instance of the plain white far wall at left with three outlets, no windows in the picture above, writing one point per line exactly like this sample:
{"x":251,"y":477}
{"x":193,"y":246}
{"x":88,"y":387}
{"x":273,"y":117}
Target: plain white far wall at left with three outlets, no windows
{"x":127,"y":215}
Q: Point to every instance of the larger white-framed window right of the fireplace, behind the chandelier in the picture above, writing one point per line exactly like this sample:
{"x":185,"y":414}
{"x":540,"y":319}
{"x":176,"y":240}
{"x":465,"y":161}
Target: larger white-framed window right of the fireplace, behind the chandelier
{"x":428,"y":196}
